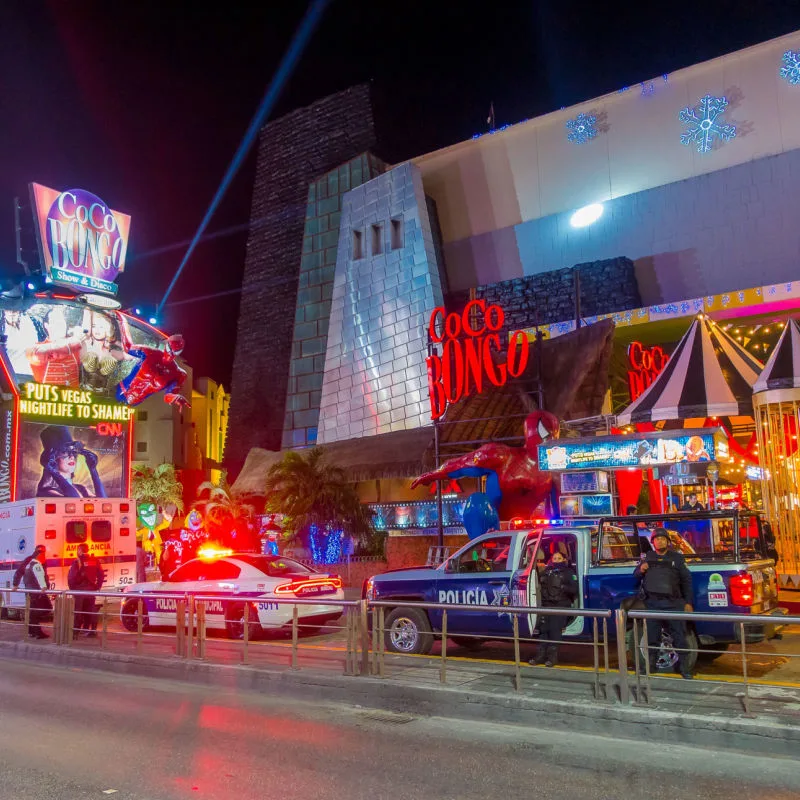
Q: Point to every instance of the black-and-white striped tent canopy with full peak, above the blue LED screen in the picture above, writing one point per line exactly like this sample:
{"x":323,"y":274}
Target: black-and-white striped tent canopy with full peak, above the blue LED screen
{"x":708,"y":375}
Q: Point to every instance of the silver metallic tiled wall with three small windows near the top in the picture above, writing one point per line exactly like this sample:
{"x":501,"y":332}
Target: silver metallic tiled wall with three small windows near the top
{"x":386,"y":284}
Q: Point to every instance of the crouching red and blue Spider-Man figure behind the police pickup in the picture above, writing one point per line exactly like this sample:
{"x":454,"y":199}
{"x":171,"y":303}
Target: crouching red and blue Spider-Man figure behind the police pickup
{"x":512,"y":472}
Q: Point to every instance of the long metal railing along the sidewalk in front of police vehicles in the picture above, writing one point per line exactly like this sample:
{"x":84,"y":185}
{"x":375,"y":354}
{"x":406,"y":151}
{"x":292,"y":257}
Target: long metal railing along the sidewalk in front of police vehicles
{"x":364,"y":651}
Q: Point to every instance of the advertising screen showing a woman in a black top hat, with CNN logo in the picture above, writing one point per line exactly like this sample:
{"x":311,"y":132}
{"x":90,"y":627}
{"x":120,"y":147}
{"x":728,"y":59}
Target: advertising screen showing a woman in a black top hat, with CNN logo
{"x":56,"y":460}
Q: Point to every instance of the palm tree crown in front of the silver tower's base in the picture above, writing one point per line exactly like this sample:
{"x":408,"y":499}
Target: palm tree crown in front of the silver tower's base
{"x":308,"y":491}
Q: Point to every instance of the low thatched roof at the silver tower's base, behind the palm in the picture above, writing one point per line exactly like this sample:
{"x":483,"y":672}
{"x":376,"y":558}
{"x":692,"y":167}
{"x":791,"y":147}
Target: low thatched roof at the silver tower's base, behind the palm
{"x":399,"y":454}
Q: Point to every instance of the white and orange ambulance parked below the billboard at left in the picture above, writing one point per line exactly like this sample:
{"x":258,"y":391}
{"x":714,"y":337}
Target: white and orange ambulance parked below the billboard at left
{"x":106,"y":525}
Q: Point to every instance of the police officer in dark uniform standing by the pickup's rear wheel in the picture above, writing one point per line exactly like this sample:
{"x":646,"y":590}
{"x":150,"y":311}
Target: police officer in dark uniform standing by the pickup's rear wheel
{"x":666,"y":585}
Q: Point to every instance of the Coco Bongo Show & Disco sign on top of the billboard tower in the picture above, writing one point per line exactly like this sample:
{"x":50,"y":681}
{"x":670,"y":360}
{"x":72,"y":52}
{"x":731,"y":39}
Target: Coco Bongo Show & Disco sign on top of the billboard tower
{"x":82,"y":241}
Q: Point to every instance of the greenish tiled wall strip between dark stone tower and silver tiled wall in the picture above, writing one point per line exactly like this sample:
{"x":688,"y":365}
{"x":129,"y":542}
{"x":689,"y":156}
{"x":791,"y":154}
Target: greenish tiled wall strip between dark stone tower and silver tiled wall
{"x":315,"y":287}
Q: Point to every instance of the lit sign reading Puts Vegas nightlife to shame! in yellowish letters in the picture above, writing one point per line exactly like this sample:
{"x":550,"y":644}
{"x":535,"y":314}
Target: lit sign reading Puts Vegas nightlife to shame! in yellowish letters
{"x":39,"y":400}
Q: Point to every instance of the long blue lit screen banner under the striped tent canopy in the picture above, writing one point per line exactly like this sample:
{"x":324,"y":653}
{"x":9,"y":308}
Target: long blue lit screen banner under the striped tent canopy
{"x":659,"y":448}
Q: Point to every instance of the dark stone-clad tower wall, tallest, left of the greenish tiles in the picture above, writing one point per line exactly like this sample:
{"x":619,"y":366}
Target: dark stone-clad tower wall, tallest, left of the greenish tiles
{"x":292,"y":152}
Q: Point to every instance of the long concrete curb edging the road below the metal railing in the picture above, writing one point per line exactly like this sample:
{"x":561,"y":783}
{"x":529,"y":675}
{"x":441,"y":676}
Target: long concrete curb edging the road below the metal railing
{"x":761,"y":736}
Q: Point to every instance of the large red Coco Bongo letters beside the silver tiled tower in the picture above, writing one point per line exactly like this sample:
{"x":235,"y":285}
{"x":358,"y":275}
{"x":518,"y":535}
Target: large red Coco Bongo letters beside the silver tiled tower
{"x":469,"y":342}
